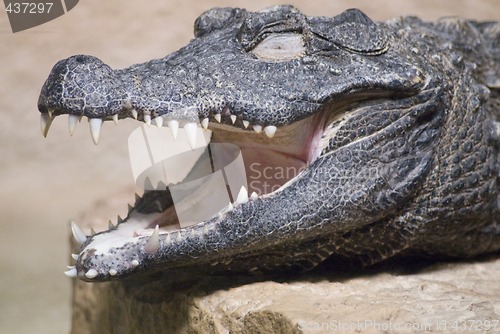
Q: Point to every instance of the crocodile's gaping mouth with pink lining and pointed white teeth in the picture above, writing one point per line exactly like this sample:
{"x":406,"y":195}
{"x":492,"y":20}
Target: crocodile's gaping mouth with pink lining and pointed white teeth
{"x":273,"y":157}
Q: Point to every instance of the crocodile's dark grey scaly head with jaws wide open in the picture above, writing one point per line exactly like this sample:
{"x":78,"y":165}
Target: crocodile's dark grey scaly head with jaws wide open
{"x":310,"y":93}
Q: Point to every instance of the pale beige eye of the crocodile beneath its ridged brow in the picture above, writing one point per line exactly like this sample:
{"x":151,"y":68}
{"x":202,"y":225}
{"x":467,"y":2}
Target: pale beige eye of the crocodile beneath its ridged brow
{"x":280,"y":47}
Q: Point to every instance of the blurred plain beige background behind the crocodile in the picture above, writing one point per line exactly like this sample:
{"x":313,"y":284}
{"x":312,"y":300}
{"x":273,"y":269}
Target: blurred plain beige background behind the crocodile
{"x":46,"y":182}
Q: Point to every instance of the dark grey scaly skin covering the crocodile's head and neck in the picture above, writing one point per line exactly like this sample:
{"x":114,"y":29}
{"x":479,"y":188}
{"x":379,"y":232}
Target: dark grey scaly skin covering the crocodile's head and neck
{"x":408,"y":112}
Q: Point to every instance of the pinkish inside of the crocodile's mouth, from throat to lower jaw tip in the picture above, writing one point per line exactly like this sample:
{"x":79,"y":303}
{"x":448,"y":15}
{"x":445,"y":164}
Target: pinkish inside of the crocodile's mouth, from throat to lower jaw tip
{"x":270,"y":164}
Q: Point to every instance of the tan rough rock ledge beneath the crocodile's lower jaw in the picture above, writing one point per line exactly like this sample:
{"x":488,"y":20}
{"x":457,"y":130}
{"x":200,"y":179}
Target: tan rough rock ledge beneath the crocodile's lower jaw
{"x":396,"y":298}
